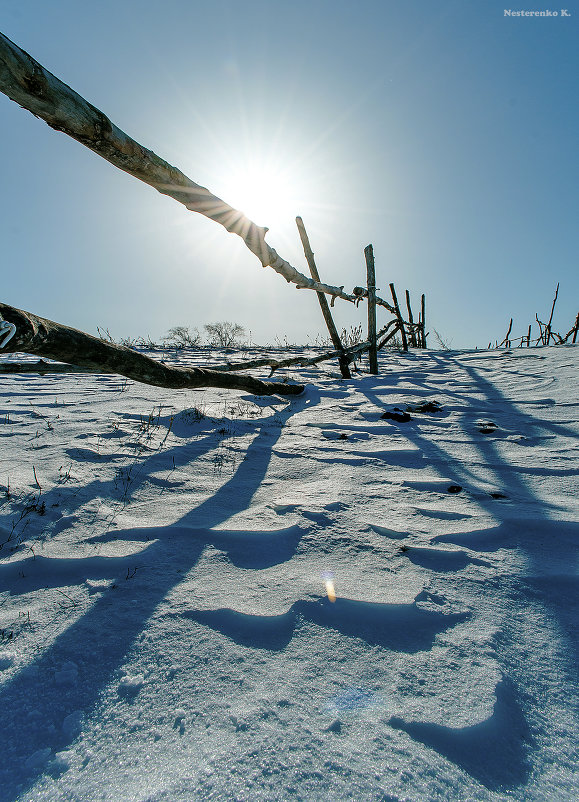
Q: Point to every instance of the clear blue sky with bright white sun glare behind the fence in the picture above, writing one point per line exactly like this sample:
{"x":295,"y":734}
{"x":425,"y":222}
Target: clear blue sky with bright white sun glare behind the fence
{"x":440,"y":131}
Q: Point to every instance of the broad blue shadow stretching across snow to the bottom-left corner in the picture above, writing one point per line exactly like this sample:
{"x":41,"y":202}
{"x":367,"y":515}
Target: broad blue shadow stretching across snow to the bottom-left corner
{"x":36,"y":702}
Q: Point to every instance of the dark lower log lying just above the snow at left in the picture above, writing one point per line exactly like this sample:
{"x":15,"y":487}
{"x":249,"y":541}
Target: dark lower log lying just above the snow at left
{"x":23,"y":332}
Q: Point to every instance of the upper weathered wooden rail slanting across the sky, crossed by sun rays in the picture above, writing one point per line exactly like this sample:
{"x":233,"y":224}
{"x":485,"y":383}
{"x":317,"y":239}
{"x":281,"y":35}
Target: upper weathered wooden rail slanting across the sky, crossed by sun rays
{"x":29,"y":84}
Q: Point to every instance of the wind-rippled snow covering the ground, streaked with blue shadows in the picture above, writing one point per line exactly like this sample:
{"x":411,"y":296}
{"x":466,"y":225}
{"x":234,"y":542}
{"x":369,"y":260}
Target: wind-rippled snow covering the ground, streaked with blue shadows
{"x":165,"y":633}
